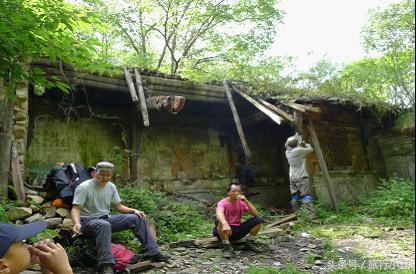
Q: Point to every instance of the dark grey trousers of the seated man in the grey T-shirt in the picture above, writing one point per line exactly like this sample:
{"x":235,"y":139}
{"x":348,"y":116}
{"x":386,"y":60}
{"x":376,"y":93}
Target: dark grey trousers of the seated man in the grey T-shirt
{"x":101,"y":229}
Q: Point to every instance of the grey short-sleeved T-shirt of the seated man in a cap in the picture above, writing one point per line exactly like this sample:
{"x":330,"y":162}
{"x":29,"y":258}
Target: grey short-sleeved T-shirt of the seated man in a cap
{"x":95,"y":201}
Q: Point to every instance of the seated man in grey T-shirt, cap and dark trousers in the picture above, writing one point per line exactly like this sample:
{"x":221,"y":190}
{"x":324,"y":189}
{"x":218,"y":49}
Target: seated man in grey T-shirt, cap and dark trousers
{"x":92,"y":217}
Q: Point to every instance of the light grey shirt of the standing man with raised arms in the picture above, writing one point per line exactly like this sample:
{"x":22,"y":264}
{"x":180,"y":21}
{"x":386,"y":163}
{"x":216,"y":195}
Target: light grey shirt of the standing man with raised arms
{"x":296,"y":158}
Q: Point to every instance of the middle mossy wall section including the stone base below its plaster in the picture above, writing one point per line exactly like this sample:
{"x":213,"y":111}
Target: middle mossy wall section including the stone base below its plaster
{"x":191,"y":161}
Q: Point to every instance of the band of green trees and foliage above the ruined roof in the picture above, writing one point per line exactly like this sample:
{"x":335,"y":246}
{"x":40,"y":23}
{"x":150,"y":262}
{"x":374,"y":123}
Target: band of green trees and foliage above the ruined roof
{"x":205,"y":40}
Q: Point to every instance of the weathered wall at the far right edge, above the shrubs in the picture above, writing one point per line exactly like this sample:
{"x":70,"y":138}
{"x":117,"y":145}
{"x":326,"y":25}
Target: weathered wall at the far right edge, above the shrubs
{"x":399,"y":155}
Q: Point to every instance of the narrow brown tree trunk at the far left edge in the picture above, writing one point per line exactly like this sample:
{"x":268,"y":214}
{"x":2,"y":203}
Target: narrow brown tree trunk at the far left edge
{"x":6,"y":123}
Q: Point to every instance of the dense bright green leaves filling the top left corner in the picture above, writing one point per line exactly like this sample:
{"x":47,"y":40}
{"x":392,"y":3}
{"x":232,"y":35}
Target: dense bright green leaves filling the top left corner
{"x":31,"y":29}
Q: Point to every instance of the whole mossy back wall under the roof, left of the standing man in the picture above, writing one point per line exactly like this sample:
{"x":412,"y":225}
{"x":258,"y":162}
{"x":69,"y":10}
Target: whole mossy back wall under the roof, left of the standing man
{"x":195,"y":161}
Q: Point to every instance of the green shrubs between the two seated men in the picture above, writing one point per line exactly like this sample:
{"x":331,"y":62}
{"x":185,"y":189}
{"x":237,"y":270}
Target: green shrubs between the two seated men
{"x":174,"y":220}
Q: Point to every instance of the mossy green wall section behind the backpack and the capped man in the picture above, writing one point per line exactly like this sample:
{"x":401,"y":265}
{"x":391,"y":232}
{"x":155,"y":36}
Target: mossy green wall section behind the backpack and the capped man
{"x":82,"y":141}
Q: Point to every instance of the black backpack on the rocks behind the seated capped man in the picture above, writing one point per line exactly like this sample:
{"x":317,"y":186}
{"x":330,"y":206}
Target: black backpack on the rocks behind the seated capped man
{"x":62,"y":181}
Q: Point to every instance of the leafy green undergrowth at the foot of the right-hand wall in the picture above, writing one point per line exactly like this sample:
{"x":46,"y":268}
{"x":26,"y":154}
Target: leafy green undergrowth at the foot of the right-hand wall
{"x":391,"y":204}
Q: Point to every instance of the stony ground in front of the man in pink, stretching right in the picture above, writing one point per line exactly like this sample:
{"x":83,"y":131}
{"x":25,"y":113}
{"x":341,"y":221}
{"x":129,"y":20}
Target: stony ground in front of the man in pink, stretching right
{"x":301,"y":253}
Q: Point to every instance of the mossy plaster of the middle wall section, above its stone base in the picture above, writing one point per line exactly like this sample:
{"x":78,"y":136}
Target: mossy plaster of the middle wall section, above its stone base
{"x":169,"y":154}
